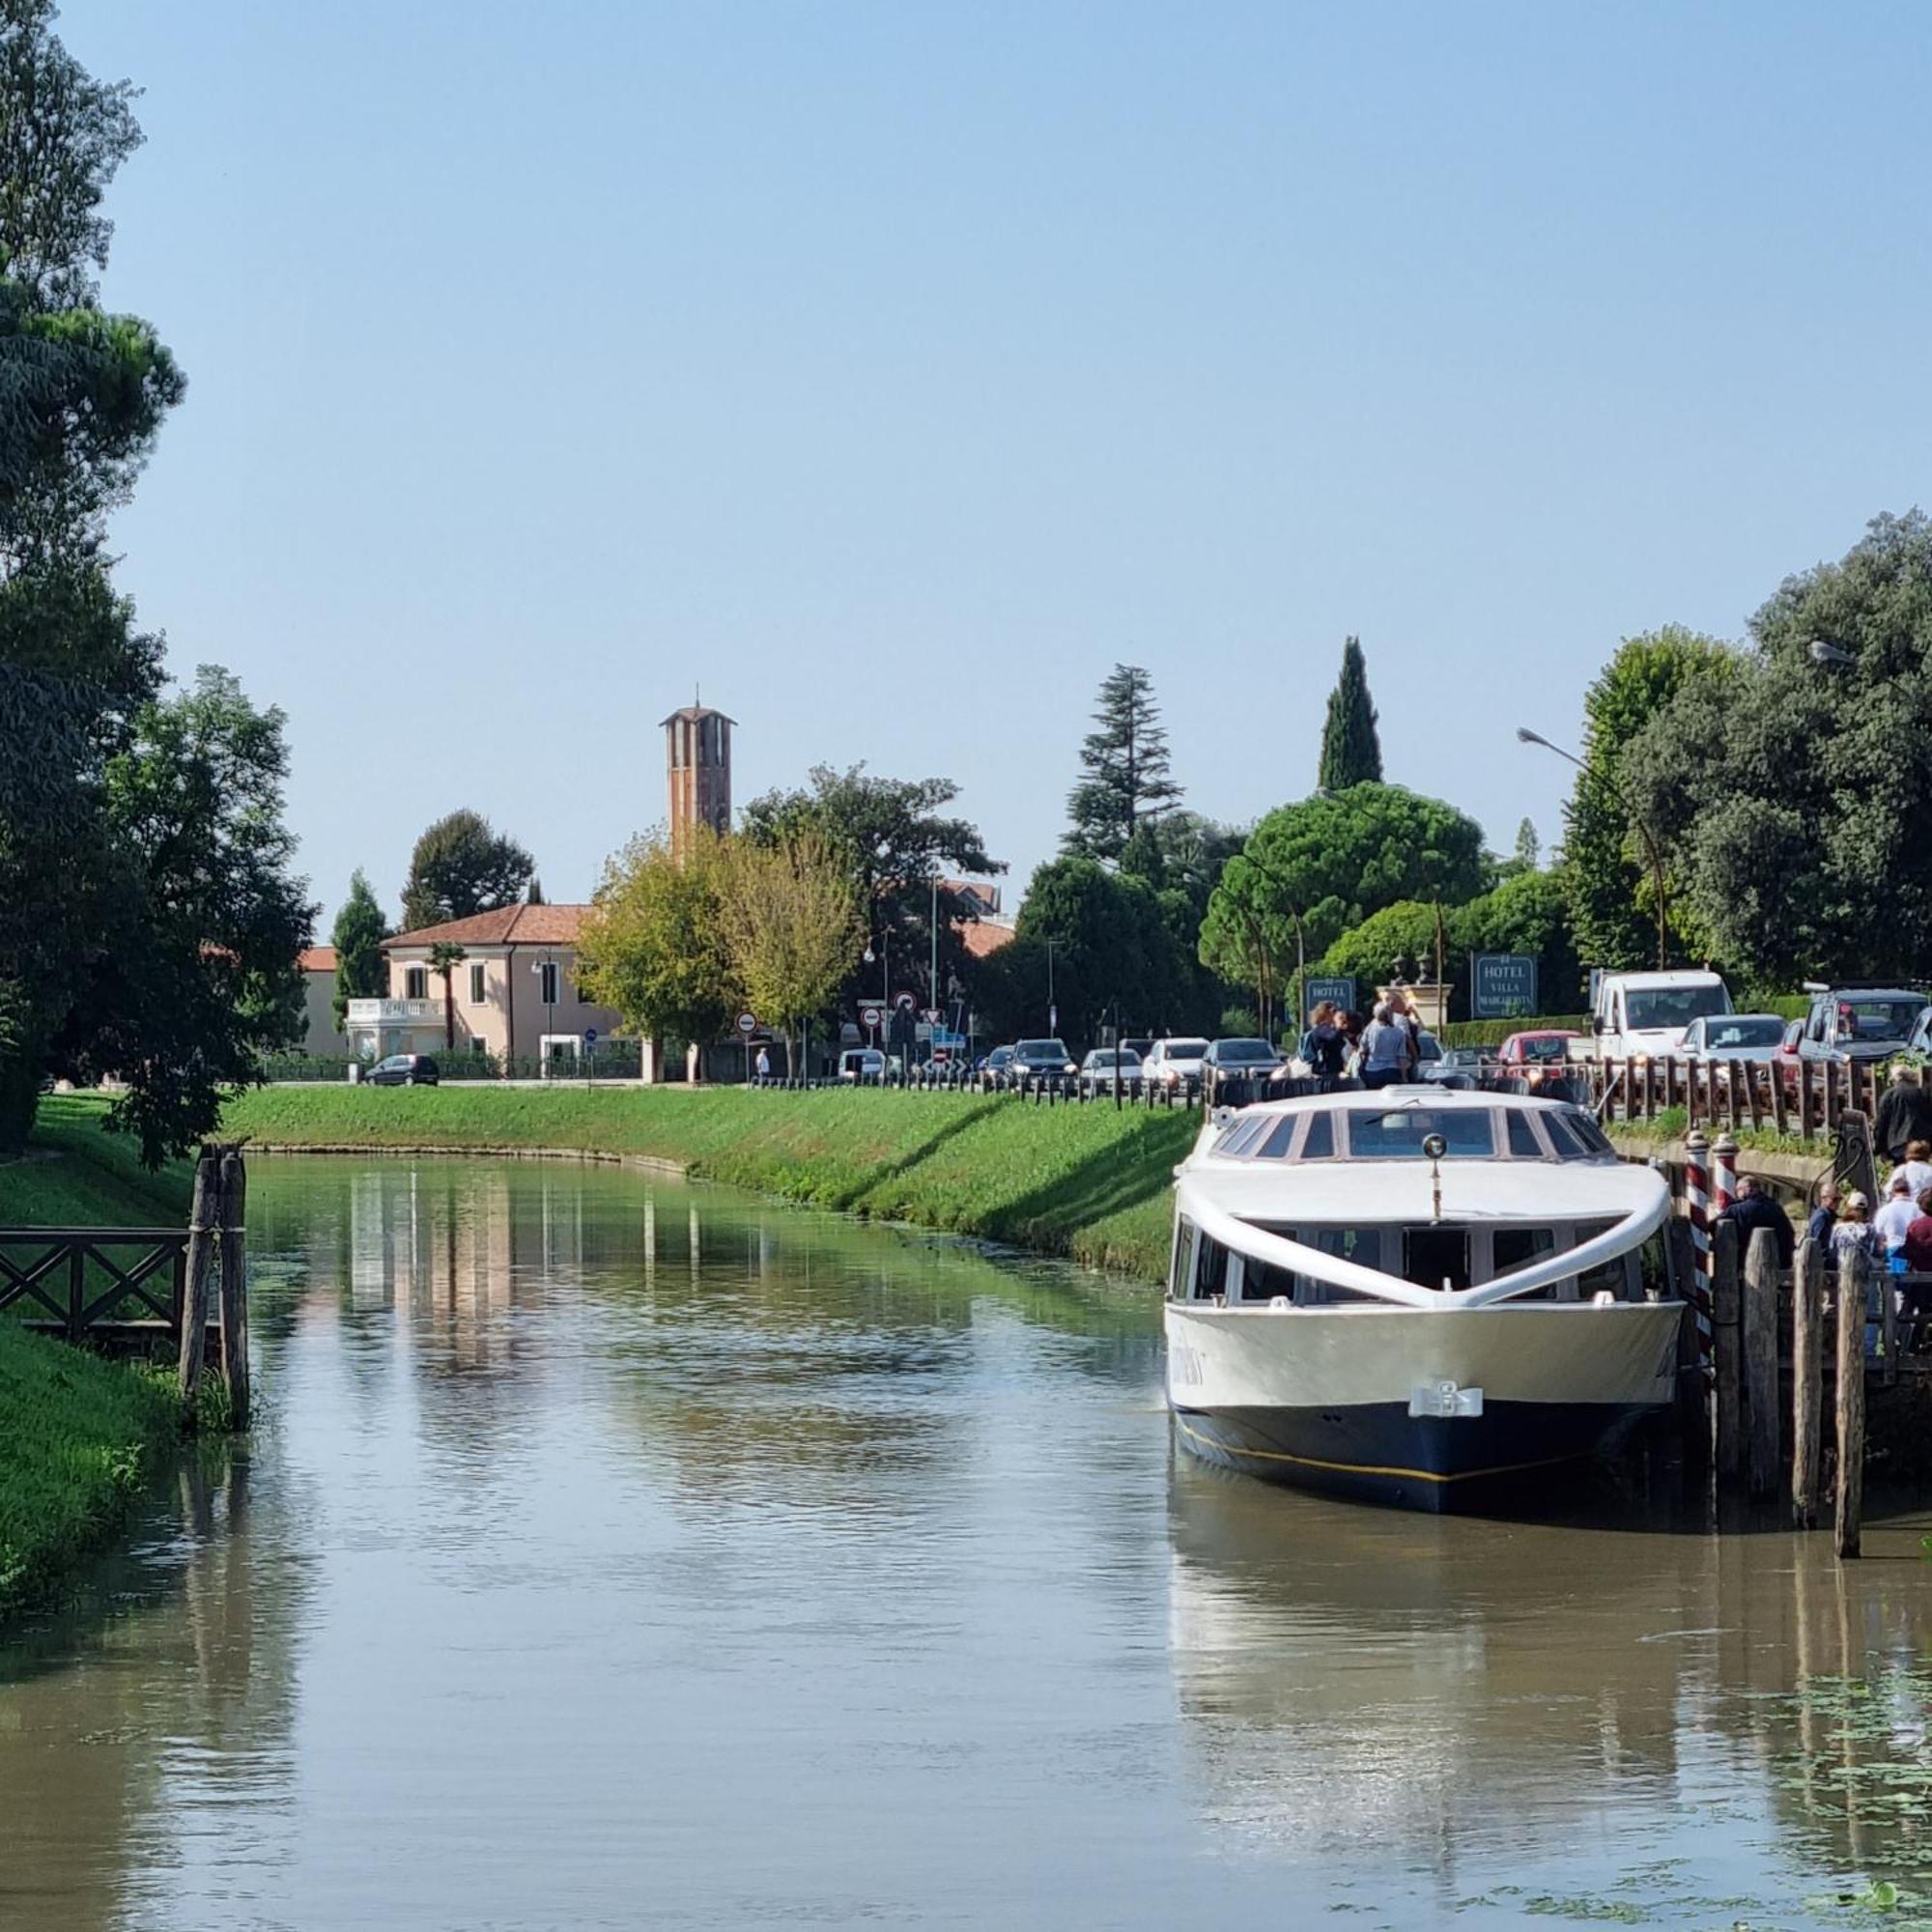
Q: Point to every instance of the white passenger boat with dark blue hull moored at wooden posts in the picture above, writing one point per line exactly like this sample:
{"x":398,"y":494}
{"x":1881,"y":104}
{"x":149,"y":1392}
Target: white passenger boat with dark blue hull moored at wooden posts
{"x":1415,"y":1295}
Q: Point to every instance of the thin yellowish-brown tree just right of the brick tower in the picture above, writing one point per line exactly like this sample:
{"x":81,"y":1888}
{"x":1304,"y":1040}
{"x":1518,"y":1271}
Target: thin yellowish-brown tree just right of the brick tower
{"x":791,"y":926}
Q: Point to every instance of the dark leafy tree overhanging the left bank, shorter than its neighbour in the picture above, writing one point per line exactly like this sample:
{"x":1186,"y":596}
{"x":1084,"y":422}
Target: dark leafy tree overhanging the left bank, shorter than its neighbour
{"x":194,"y":977}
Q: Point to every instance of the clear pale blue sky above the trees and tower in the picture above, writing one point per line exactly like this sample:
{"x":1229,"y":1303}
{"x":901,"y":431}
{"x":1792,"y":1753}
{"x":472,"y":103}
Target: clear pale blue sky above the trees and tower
{"x":895,"y":370}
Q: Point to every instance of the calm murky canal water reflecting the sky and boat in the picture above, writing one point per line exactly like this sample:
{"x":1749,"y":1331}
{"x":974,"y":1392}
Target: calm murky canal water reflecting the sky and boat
{"x":619,"y":1554}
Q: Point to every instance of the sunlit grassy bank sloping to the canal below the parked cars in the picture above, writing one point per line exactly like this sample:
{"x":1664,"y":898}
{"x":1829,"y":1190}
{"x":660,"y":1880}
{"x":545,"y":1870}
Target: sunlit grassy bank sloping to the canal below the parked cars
{"x":1083,"y":1181}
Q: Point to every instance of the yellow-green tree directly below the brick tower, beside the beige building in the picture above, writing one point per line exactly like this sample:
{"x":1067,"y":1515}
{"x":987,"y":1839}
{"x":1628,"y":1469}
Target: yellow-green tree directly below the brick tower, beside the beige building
{"x":654,"y":942}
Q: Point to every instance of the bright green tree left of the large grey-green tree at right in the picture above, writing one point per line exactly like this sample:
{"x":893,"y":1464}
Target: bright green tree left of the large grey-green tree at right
{"x":1606,"y":838}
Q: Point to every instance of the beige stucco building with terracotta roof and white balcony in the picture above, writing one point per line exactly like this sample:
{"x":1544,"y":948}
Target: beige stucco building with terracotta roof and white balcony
{"x":515,"y":992}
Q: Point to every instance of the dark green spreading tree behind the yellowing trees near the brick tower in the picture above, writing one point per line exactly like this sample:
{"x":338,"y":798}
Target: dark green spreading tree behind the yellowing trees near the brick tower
{"x":895,"y":839}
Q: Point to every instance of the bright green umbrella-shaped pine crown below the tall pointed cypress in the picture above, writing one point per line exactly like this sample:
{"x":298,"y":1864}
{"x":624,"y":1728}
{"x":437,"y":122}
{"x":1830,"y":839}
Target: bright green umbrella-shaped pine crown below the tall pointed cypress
{"x":1315,"y":870}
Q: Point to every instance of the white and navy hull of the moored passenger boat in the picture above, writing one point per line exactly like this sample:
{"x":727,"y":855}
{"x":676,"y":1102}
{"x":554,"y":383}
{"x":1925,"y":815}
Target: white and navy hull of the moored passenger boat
{"x":1326,"y":1398}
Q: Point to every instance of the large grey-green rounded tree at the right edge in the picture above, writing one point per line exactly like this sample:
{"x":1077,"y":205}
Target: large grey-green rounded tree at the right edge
{"x":1794,"y":795}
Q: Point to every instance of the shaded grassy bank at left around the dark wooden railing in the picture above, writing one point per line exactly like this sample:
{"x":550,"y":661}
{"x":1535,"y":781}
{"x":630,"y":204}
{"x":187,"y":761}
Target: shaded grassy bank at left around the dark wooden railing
{"x":78,"y":1436}
